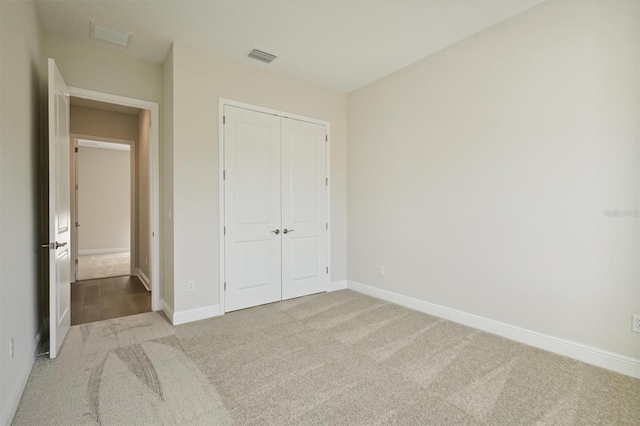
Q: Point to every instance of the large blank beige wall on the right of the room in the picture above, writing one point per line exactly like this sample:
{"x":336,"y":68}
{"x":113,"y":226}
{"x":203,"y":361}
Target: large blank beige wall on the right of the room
{"x":479,"y":177}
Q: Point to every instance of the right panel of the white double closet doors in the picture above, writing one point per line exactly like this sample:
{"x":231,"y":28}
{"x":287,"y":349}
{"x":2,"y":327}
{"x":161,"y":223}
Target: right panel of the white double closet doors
{"x":304,"y":208}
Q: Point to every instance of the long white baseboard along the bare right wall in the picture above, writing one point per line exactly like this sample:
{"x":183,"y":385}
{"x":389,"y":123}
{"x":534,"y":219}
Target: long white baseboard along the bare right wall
{"x":598,"y":357}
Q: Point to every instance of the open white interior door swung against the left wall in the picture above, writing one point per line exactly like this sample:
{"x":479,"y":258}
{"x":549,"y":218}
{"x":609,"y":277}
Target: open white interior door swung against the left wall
{"x":59,"y":211}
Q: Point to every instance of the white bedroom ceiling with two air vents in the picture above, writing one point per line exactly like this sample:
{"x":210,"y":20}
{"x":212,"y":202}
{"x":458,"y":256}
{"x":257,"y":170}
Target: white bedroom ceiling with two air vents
{"x":339,"y":44}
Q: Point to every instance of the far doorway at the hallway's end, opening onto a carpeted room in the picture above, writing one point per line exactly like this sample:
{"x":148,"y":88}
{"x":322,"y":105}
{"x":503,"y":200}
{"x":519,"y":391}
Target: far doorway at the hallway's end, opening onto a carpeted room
{"x":104,"y":205}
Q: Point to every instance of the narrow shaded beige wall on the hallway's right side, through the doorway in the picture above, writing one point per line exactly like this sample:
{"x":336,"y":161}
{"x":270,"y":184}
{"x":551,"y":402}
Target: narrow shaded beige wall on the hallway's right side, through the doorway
{"x":143,"y":194}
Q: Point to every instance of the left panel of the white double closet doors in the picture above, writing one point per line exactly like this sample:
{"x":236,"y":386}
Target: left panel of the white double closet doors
{"x":252,"y":208}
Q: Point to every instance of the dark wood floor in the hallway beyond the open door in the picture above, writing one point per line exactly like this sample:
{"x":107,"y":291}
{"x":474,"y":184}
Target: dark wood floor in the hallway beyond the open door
{"x":106,"y":298}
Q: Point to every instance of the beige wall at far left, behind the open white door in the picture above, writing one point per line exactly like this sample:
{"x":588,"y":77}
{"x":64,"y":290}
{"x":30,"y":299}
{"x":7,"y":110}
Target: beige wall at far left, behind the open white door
{"x":21,"y":152}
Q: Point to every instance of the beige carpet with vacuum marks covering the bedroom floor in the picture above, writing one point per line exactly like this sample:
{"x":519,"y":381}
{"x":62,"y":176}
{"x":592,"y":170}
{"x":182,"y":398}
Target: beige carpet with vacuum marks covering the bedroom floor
{"x":332,"y":358}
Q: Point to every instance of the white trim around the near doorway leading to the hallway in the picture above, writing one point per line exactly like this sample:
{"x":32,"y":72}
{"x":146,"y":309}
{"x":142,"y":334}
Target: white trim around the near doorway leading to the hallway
{"x":154,"y":107}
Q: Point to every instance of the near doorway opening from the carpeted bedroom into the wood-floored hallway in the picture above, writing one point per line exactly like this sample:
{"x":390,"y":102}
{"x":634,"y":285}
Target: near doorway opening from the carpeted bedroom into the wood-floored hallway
{"x":111,"y":208}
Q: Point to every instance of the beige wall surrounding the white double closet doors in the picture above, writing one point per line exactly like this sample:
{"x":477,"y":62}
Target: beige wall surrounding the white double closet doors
{"x":199,"y":80}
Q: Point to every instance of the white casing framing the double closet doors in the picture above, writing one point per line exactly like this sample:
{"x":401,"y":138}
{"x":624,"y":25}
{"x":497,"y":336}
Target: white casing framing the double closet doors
{"x":222,"y":102}
